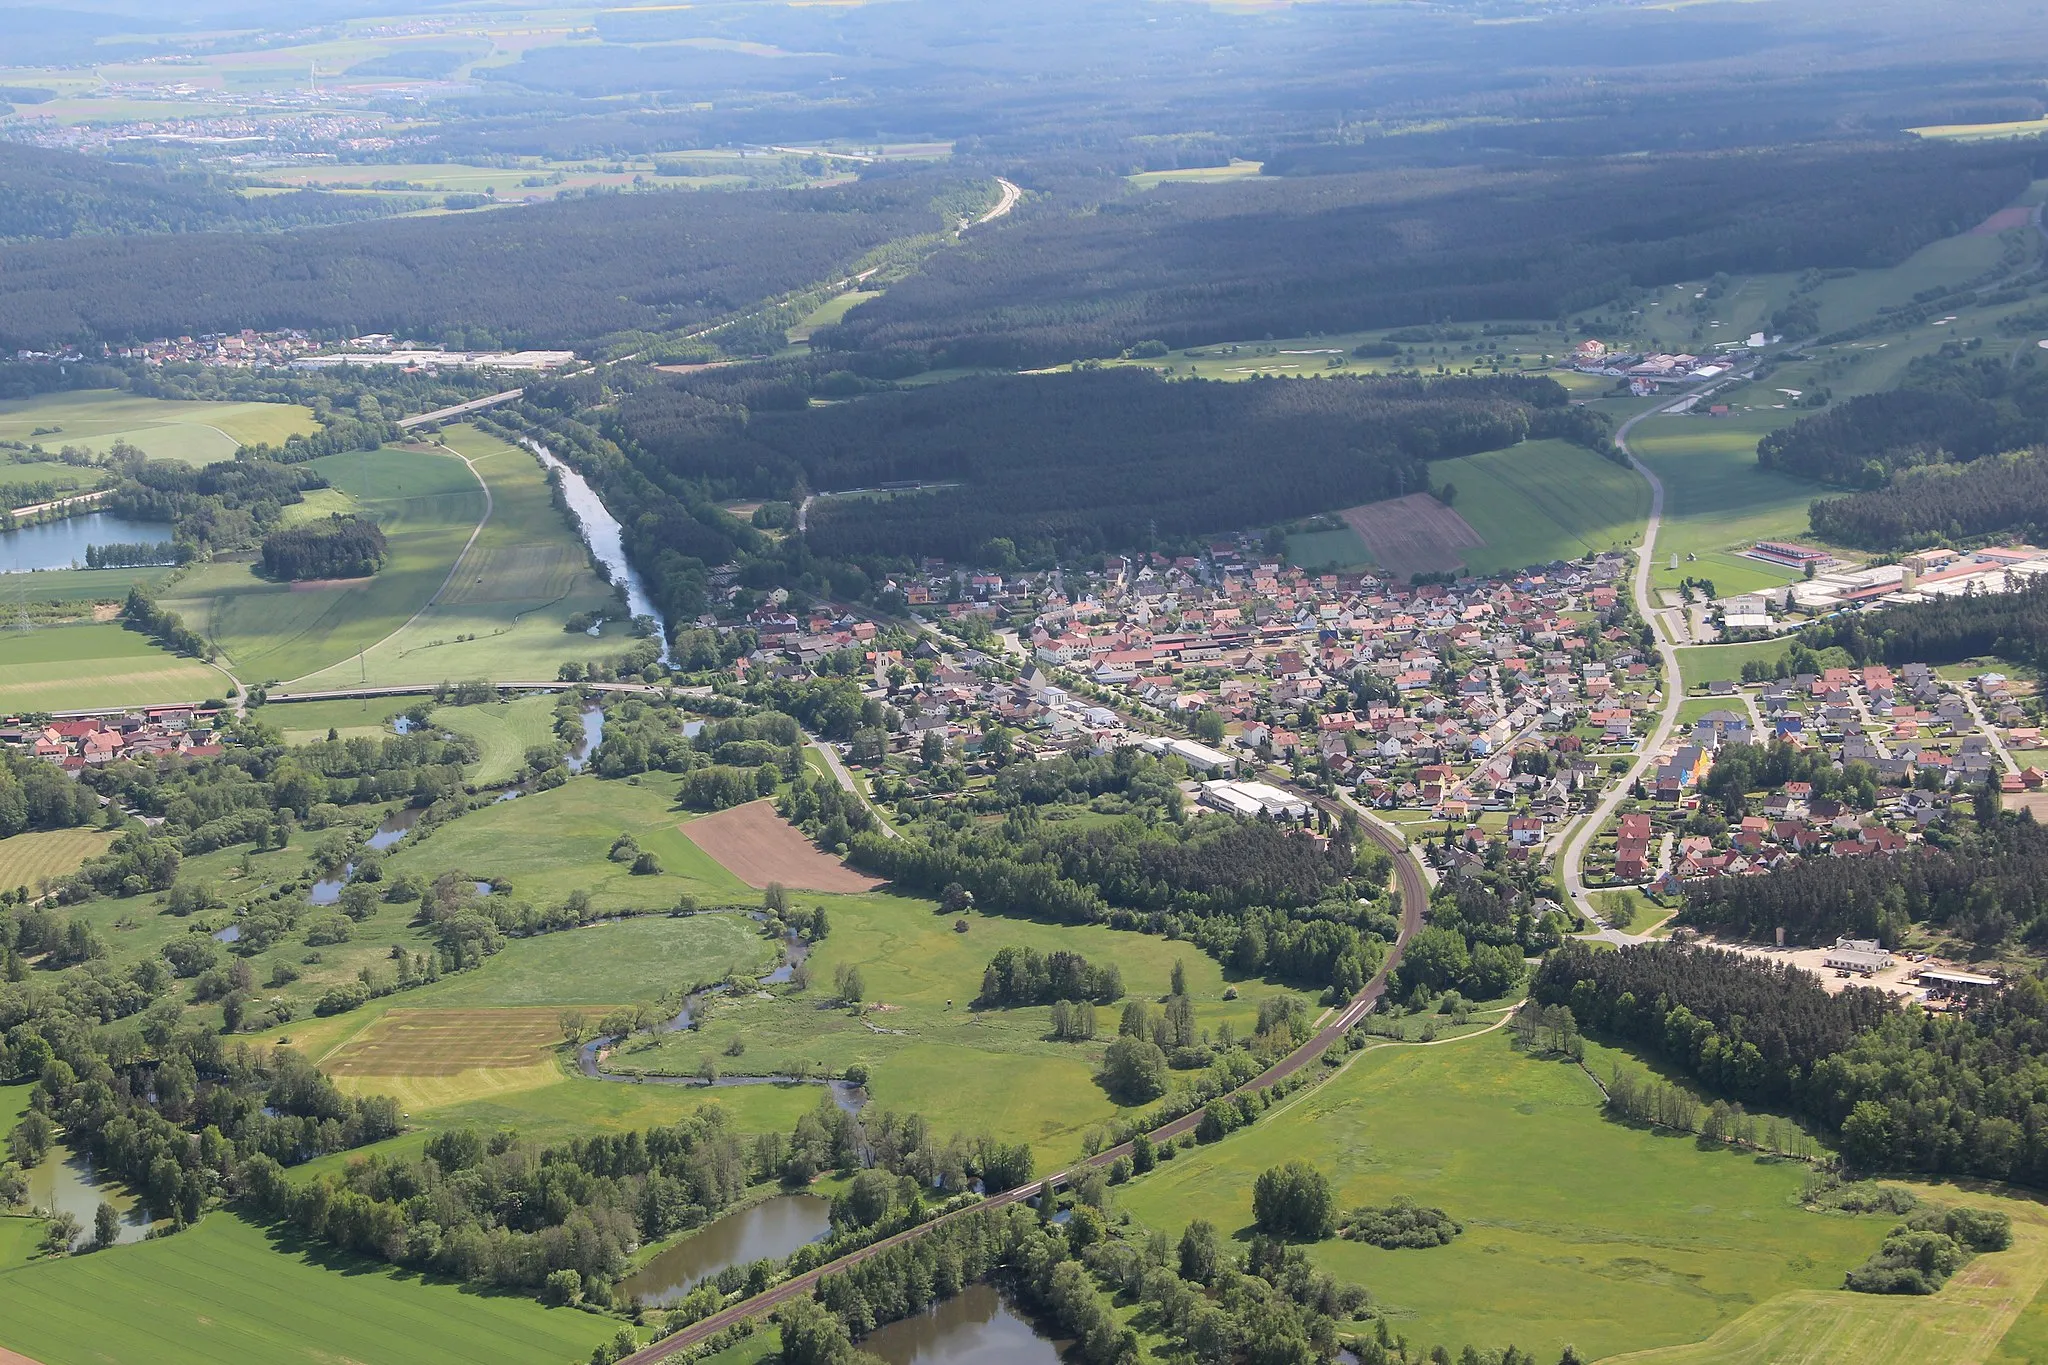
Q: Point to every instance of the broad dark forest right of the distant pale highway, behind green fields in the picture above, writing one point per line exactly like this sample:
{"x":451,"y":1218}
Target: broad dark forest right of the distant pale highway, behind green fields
{"x":1302,"y":257}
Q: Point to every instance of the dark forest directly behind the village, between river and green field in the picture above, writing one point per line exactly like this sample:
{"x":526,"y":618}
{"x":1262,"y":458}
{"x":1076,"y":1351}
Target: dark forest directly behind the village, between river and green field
{"x":1082,"y":461}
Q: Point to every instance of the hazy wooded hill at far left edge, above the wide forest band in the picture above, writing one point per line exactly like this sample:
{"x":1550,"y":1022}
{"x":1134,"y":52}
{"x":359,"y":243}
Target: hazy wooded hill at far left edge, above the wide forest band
{"x":65,"y":195}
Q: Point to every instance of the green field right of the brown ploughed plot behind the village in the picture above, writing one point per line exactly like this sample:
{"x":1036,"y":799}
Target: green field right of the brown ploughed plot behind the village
{"x":1545,"y":500}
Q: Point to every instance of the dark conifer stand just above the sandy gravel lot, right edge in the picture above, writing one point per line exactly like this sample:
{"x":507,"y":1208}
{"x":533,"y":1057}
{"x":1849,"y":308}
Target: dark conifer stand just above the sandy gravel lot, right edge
{"x":1986,"y":887}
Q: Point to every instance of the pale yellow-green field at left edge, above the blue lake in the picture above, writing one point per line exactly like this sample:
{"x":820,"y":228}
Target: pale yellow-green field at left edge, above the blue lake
{"x":165,"y":429}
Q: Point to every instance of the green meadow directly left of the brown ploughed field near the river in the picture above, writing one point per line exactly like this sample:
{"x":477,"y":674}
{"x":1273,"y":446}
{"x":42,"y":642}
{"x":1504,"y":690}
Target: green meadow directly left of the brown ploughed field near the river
{"x":556,"y":842}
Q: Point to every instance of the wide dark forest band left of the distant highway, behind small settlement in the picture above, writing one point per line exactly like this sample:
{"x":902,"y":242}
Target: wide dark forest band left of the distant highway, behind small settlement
{"x":544,"y":275}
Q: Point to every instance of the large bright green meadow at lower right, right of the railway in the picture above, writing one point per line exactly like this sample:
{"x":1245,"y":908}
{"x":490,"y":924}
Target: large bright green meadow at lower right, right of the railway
{"x":1576,"y":1229}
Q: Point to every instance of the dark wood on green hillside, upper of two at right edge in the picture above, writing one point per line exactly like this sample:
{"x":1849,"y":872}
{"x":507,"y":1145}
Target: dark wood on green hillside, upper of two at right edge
{"x":1951,"y":406}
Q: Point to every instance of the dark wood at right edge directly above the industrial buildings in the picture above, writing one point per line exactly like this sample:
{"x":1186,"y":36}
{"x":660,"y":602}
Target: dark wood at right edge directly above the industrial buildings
{"x":1945,"y":504}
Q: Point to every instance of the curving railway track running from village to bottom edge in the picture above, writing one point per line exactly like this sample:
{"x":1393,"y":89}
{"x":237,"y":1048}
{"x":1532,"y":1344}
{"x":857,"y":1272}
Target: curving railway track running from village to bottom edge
{"x":1414,"y":904}
